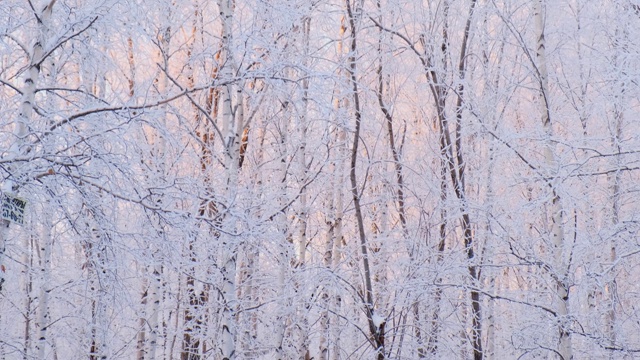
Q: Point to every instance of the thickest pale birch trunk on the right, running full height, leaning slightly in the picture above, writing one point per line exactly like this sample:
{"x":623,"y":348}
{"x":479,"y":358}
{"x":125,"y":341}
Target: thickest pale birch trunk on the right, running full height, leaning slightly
{"x":557,"y":222}
